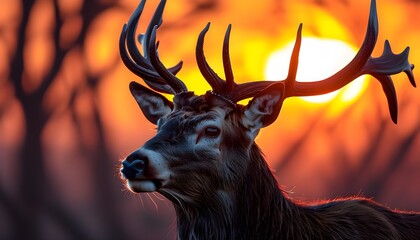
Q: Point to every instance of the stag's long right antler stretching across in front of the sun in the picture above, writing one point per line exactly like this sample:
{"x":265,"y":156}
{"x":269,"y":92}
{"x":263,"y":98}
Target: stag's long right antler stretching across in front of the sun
{"x":363,"y":63}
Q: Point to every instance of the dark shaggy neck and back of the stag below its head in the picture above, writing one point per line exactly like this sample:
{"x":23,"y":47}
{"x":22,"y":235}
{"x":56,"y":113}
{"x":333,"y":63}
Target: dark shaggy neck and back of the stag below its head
{"x":258,"y":209}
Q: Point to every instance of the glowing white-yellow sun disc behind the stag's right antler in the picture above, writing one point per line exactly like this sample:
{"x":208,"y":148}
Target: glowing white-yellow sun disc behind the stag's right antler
{"x":319,"y":58}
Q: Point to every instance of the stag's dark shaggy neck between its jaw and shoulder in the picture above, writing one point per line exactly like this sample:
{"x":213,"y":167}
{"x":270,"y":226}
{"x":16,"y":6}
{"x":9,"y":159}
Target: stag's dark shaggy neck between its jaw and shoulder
{"x":251,"y":211}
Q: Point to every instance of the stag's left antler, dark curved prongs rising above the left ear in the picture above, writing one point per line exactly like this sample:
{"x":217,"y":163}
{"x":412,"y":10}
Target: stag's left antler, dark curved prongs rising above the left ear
{"x":148,"y":66}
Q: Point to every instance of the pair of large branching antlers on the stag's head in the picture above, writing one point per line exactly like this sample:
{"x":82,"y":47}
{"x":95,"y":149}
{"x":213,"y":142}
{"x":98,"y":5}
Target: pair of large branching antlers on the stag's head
{"x":149,"y":67}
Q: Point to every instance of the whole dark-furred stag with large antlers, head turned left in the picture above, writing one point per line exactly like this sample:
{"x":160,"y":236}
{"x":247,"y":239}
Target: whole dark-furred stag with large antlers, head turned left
{"x":204,"y":158}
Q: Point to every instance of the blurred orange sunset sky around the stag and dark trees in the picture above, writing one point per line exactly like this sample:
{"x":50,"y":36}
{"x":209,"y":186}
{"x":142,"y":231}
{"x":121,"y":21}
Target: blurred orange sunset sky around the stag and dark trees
{"x":317,"y":150}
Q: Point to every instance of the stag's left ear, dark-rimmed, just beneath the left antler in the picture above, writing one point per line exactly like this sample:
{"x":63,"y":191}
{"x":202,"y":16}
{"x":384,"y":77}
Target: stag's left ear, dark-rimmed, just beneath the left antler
{"x":152,"y":104}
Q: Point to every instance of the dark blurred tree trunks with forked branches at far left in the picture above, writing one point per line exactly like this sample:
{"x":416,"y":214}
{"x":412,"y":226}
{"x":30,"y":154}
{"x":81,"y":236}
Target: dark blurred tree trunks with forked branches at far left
{"x":33,"y":186}
